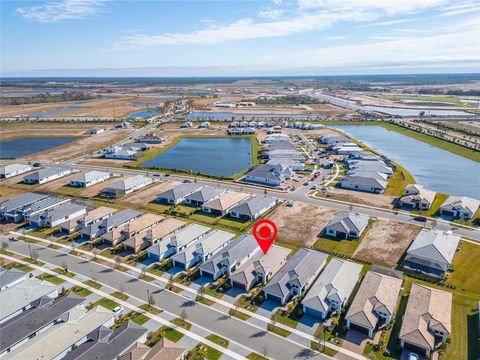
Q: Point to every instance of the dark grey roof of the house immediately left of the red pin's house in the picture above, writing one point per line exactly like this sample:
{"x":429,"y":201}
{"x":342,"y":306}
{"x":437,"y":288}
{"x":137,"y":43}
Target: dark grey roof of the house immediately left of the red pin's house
{"x":236,"y":251}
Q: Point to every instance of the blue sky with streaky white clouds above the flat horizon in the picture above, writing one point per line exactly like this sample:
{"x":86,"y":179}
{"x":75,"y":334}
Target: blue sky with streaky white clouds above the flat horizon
{"x":238,"y":38}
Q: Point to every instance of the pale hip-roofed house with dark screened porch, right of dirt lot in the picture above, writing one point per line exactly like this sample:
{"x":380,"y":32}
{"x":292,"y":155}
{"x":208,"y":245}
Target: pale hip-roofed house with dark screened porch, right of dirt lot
{"x":432,"y":252}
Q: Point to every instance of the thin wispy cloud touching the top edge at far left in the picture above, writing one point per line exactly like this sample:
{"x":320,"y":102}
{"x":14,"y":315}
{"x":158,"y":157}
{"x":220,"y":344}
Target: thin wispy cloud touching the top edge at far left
{"x":56,"y":11}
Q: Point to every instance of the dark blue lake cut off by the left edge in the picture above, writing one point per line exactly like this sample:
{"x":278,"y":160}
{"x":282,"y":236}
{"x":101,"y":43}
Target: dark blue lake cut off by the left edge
{"x":19,"y":147}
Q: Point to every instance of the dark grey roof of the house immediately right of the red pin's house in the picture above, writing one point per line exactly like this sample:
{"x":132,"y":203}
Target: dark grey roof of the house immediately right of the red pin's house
{"x":298,"y":270}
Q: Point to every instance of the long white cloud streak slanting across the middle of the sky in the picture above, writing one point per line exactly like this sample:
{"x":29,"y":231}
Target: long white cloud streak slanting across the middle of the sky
{"x":244,"y":29}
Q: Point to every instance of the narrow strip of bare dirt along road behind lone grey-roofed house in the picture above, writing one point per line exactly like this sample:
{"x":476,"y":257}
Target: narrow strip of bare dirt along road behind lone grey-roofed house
{"x":363,"y":198}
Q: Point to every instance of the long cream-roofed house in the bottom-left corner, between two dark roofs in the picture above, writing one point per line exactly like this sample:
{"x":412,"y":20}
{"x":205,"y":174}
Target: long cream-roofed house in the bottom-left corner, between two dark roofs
{"x":59,"y":339}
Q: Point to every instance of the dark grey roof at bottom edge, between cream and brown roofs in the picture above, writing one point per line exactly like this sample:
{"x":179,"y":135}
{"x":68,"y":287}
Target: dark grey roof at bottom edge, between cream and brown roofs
{"x":107,"y":344}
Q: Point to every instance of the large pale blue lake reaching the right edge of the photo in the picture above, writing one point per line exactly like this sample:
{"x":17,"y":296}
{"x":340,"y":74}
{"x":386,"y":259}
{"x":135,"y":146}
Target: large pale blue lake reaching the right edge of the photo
{"x":432,"y":167}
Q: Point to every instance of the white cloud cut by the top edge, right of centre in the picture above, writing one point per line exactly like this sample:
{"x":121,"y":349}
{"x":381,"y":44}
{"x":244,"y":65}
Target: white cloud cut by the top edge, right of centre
{"x":389,"y":7}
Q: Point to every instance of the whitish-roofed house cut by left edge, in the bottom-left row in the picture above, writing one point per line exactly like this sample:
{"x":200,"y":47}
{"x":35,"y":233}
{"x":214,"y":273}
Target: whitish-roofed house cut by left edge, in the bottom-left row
{"x":22,"y":296}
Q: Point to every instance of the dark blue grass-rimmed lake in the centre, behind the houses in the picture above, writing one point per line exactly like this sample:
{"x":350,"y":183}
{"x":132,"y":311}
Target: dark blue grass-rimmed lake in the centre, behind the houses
{"x":209,"y":156}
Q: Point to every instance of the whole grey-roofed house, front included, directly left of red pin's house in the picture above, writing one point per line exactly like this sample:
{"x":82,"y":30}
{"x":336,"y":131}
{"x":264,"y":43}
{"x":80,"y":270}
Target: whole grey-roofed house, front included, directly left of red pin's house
{"x":230,"y":257}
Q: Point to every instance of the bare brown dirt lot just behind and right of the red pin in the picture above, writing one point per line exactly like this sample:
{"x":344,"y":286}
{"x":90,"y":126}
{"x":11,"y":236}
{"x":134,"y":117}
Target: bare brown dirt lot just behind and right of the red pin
{"x":302,"y":223}
